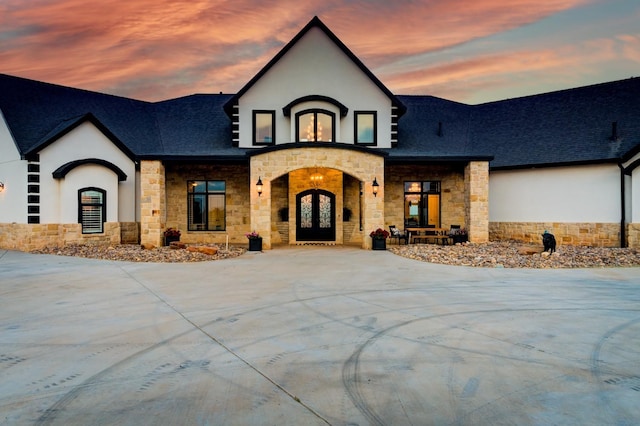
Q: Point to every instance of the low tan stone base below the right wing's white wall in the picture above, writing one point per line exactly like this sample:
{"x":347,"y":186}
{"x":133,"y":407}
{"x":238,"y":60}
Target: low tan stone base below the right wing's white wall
{"x":579,"y":234}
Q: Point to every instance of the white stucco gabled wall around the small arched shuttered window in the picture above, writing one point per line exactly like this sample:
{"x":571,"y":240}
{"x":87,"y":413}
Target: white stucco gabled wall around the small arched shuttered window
{"x":58,"y":197}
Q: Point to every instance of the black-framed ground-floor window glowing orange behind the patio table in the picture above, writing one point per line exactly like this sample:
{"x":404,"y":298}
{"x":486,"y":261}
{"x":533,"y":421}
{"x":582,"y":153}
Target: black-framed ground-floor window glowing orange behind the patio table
{"x":422,"y":204}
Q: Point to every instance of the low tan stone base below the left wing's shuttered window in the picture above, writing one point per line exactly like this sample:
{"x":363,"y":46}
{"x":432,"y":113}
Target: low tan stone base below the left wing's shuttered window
{"x":28,"y":237}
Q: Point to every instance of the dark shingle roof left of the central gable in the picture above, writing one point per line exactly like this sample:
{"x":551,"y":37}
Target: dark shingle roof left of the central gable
{"x":38,"y":113}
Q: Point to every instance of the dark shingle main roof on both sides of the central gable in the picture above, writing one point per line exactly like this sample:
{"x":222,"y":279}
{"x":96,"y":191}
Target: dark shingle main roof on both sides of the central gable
{"x":573,"y":126}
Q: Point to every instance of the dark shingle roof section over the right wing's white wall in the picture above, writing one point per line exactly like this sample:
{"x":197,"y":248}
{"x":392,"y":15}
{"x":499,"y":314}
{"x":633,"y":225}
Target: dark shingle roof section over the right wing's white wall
{"x":563,"y":127}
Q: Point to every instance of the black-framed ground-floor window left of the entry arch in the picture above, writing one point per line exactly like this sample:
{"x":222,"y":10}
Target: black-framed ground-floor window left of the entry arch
{"x":206,"y":205}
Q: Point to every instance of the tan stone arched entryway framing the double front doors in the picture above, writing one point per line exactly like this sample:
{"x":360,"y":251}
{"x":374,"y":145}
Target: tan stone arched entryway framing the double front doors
{"x":273,"y":163}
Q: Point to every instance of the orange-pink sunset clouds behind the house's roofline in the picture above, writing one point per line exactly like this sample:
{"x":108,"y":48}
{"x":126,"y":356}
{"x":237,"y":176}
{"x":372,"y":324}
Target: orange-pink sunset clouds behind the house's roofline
{"x":157,"y":49}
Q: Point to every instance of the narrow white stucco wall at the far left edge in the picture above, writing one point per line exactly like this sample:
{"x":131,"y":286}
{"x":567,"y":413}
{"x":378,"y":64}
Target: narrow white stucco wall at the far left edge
{"x":13,"y":173}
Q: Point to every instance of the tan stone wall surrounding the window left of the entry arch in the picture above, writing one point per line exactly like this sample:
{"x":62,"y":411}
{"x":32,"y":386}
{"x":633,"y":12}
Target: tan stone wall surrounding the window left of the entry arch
{"x":237,"y":201}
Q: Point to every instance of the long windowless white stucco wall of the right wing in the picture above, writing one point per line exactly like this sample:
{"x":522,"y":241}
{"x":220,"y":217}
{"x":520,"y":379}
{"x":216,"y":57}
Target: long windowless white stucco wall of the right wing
{"x":558,"y":194}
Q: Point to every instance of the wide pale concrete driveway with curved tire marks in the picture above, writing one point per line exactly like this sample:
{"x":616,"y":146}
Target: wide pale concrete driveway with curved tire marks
{"x":315,"y":335}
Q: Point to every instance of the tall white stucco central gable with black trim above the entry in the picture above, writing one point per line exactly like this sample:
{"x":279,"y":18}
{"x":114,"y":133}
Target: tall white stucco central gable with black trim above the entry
{"x":315,"y":72}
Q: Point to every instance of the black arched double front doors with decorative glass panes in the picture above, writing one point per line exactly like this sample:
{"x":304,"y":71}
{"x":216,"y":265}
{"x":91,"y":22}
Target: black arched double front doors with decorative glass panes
{"x":315,"y":216}
